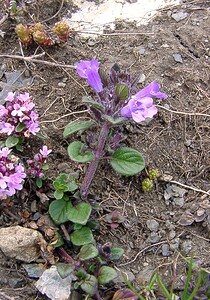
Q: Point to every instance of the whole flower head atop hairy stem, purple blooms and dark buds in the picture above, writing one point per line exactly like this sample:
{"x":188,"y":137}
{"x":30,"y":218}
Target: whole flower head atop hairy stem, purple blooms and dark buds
{"x":116,"y":87}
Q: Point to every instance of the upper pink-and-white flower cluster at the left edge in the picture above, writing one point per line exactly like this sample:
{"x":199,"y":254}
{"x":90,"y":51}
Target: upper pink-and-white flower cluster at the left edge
{"x":17,"y":117}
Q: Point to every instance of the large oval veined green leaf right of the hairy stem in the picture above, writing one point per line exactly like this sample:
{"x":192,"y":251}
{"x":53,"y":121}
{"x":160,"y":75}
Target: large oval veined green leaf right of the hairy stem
{"x":127,"y":161}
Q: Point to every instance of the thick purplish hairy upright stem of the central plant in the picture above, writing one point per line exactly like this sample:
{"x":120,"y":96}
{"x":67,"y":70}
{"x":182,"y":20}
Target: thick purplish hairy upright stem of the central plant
{"x":94,"y":163}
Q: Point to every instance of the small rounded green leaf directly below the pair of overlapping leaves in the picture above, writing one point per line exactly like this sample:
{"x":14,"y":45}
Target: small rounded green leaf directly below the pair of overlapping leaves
{"x":82,"y":236}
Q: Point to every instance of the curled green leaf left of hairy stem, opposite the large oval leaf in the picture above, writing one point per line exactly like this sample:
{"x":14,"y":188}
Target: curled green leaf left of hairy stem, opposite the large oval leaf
{"x":76,"y":152}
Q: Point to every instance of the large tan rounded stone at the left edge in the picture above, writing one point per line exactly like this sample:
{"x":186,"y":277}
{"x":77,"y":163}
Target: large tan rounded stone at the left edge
{"x":20,"y":243}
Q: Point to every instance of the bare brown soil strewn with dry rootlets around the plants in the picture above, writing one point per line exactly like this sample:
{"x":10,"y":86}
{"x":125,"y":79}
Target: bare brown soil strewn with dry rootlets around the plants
{"x":177,"y":144}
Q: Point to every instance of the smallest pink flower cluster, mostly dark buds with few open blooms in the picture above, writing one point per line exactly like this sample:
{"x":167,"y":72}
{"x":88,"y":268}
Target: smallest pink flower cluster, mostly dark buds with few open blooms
{"x":35,"y":166}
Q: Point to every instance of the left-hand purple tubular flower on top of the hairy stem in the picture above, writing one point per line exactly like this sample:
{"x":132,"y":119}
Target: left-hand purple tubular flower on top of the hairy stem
{"x":89,"y":70}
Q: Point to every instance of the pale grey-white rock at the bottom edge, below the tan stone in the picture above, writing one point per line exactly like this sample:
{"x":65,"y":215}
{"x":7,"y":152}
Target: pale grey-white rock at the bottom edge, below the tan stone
{"x":53,"y":286}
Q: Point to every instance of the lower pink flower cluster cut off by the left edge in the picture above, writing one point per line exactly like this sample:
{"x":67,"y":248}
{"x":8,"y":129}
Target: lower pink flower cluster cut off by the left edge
{"x":12,"y":174}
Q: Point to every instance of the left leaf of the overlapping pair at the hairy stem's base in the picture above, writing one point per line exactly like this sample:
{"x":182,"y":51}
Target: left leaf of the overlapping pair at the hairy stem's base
{"x":58,"y":210}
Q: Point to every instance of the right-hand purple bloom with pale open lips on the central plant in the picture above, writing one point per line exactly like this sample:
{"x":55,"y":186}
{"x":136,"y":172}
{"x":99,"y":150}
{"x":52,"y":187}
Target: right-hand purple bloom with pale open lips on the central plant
{"x":140,"y":106}
